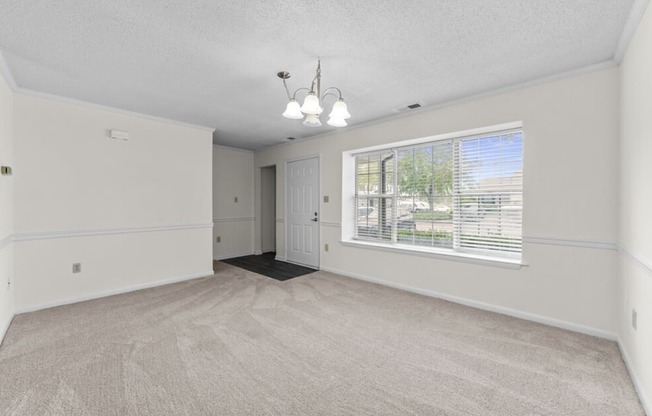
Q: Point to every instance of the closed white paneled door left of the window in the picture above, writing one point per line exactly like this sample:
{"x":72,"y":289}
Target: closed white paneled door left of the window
{"x":302,"y":212}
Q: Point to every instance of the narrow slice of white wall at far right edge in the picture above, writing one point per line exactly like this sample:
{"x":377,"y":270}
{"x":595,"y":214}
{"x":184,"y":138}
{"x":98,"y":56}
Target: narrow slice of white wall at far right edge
{"x":636,"y":208}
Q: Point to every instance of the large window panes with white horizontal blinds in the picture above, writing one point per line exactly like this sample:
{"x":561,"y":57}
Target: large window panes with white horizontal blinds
{"x":457,"y":195}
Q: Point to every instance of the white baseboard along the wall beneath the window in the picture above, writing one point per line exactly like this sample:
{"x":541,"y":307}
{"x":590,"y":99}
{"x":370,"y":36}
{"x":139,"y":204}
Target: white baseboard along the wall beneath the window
{"x":485,"y":306}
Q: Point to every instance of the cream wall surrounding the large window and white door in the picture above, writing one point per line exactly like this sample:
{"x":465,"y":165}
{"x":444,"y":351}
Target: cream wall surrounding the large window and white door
{"x":570,"y":193}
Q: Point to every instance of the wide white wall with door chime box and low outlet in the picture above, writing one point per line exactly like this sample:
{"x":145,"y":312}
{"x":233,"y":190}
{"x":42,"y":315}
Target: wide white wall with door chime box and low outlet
{"x":134,"y":213}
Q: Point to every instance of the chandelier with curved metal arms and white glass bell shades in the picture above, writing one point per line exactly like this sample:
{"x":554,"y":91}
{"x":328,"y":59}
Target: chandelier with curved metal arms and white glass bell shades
{"x":312,"y":104}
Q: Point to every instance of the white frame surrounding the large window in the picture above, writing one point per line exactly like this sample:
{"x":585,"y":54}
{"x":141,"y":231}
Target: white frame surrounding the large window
{"x":348,"y":205}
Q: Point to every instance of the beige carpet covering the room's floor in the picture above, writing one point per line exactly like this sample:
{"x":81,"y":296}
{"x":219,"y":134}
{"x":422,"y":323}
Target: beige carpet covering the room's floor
{"x":241,"y":344}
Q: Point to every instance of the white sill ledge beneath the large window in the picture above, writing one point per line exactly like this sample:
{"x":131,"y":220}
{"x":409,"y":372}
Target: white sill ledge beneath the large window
{"x":437,"y":254}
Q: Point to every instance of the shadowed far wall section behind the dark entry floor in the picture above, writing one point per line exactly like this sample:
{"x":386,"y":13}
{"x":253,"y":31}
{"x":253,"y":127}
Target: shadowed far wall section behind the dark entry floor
{"x":233,"y":202}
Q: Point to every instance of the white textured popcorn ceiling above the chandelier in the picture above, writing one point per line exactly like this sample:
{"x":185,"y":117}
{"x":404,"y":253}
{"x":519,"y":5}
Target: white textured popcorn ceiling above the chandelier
{"x":214,"y":63}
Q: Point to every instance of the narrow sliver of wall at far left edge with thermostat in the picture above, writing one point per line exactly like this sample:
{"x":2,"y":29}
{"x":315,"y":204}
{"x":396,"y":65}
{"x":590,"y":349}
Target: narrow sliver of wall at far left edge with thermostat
{"x":6,"y":209}
